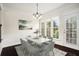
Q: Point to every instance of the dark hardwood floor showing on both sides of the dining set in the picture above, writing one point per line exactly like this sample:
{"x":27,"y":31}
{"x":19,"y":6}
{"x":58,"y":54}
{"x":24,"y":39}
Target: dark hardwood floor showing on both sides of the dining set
{"x":11,"y":51}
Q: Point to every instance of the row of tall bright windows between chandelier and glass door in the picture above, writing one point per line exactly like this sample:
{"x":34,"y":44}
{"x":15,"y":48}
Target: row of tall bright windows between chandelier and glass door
{"x":51,"y":29}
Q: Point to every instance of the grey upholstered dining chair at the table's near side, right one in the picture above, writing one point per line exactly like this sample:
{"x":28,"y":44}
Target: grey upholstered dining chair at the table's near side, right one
{"x":47,"y":48}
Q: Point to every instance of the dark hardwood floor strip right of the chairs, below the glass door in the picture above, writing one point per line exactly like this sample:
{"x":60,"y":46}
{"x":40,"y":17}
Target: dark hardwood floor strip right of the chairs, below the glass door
{"x":70,"y":51}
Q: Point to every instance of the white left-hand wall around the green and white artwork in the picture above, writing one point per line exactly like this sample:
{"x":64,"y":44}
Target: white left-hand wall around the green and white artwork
{"x":10,"y":33}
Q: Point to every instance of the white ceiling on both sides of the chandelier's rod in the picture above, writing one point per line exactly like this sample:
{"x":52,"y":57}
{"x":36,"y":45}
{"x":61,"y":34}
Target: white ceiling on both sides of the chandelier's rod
{"x":31,"y":7}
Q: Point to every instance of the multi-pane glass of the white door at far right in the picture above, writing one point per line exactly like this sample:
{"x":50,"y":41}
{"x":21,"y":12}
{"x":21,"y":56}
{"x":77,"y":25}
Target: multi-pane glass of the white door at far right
{"x":71,"y":30}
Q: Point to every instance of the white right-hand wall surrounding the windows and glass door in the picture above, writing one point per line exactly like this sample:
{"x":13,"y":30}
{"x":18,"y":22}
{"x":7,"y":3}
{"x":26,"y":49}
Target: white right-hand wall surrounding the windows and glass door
{"x":62,"y":11}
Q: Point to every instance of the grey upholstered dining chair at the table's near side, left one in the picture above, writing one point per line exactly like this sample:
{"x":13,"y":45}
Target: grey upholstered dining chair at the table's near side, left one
{"x":29,"y":49}
